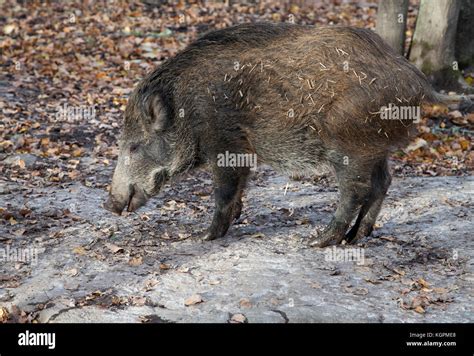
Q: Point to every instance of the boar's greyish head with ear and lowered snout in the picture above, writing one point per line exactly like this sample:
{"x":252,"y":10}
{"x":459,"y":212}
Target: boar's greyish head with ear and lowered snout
{"x":147,"y":154}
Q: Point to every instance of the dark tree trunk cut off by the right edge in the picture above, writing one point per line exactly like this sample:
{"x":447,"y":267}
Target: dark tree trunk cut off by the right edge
{"x":465,"y":35}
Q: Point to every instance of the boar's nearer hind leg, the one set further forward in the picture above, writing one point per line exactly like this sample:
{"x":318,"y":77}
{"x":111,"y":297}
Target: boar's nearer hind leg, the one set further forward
{"x":354,"y":182}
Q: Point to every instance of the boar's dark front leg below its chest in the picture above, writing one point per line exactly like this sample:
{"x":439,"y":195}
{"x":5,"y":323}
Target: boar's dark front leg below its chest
{"x":229,"y":184}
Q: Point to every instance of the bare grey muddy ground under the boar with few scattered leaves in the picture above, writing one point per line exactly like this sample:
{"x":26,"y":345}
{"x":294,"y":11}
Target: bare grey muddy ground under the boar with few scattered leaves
{"x":82,"y":264}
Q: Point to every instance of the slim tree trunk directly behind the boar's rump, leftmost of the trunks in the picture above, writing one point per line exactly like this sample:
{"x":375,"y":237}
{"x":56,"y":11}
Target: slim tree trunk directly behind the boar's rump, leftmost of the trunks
{"x":391,"y":23}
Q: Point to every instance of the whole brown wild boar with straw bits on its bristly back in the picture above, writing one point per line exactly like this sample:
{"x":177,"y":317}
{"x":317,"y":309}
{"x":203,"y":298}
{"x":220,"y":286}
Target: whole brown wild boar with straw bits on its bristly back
{"x":294,"y":96}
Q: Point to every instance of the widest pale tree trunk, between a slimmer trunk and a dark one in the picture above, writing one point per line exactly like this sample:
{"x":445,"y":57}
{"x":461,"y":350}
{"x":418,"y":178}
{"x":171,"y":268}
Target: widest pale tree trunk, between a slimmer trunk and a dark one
{"x":433,"y":41}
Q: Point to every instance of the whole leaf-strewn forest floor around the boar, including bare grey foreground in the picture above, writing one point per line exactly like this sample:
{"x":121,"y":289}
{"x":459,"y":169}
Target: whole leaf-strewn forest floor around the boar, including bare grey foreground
{"x":84,"y":264}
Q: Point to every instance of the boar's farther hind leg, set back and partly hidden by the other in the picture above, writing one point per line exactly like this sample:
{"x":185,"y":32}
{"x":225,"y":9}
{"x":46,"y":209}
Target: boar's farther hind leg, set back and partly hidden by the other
{"x":363,"y":226}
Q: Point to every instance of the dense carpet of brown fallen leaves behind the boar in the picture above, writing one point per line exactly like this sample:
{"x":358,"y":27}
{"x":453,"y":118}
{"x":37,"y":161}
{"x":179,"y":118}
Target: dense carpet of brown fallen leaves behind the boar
{"x":112,"y":46}
